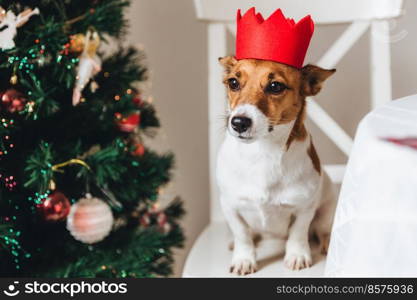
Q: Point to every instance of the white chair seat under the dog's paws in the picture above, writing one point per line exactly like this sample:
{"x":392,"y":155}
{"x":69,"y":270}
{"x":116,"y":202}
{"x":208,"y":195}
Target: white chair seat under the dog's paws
{"x":210,"y":257}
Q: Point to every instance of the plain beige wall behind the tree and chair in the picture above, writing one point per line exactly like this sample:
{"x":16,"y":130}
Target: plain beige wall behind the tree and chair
{"x":176,"y":47}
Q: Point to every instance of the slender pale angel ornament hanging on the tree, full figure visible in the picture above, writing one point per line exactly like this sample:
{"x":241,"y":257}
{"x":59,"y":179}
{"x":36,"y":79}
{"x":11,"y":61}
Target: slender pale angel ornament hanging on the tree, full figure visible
{"x":89,"y":65}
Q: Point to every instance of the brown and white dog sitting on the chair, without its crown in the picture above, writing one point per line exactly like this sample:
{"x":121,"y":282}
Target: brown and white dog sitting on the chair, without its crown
{"x":268,"y":171}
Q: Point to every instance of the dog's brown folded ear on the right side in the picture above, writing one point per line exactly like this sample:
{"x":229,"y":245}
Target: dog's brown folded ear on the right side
{"x":313,"y":78}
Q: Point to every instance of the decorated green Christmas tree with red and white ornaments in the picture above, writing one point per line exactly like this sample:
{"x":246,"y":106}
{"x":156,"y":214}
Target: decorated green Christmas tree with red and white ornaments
{"x":78,"y":189}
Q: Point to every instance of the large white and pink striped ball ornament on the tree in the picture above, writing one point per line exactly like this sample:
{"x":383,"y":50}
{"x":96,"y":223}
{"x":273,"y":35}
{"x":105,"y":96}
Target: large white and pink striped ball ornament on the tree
{"x":90,"y":220}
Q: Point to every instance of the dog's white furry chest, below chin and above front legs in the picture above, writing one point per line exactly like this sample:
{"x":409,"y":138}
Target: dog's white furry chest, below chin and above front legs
{"x":265,"y":183}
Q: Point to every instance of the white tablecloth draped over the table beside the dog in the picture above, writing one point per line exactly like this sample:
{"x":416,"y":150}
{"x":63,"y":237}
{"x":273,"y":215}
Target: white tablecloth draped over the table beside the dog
{"x":375,"y":228}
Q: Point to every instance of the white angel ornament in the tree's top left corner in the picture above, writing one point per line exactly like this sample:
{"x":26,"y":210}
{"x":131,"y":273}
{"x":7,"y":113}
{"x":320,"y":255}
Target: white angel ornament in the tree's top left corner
{"x":9,"y":23}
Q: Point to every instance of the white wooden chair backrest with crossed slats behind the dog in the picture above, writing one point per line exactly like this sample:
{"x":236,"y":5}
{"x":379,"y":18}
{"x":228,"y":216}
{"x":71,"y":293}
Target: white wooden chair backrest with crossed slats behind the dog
{"x":362,"y":14}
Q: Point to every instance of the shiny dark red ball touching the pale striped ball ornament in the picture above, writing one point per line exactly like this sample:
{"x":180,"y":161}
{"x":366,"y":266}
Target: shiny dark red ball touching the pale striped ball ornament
{"x":55,"y":207}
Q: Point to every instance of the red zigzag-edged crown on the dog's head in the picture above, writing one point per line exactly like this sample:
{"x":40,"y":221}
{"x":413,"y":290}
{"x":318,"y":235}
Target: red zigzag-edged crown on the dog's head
{"x":276,"y":38}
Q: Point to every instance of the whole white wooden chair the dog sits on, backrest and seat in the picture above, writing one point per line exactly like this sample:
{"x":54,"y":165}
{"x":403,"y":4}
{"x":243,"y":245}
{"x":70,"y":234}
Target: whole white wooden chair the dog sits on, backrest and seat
{"x":209,"y":256}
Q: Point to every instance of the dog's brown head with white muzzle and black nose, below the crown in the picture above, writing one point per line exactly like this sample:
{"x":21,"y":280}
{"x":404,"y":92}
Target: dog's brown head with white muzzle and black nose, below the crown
{"x":264,"y":94}
